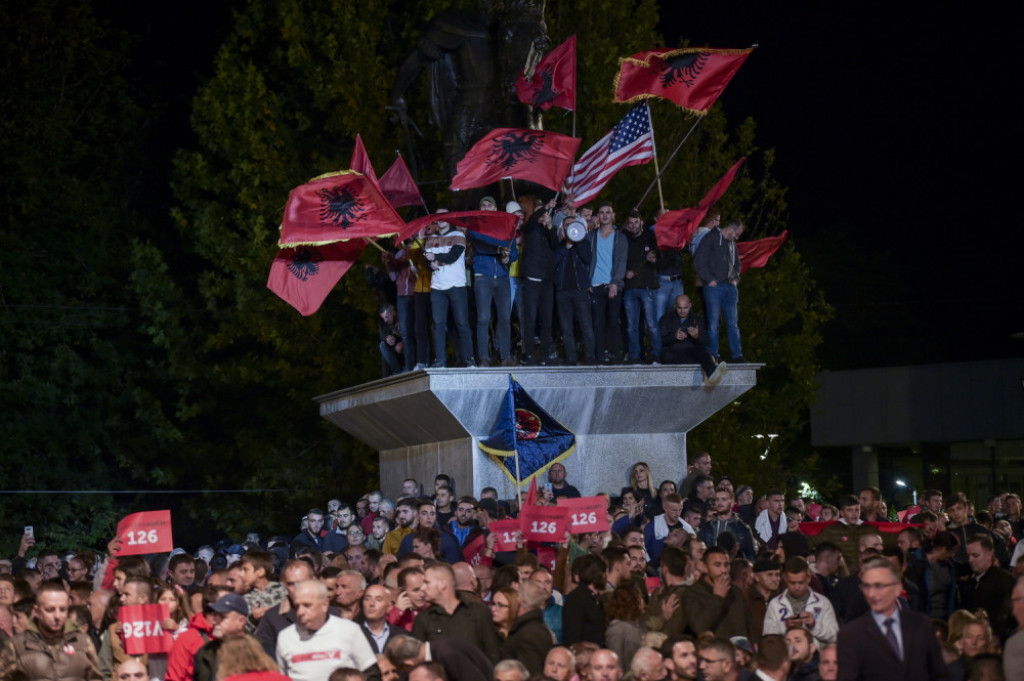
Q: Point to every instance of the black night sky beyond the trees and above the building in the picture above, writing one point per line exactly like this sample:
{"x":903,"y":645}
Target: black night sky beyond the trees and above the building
{"x":895,"y":132}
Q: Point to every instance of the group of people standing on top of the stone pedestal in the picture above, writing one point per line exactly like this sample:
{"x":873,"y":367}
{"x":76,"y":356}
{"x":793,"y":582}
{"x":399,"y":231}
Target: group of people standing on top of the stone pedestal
{"x":577,"y":263}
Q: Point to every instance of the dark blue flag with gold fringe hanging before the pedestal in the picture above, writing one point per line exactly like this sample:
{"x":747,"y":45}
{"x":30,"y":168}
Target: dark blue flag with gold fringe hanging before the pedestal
{"x":526,"y":432}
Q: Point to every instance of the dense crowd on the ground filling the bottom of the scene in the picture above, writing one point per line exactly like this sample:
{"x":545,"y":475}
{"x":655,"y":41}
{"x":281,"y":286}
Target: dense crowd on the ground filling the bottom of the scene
{"x":701,"y":580}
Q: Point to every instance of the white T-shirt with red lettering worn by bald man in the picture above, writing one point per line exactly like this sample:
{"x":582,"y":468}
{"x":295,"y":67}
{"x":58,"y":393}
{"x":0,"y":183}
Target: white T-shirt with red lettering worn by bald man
{"x":306,"y":656}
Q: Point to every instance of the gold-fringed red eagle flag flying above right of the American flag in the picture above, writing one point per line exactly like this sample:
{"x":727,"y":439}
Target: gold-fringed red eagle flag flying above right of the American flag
{"x":692,"y":77}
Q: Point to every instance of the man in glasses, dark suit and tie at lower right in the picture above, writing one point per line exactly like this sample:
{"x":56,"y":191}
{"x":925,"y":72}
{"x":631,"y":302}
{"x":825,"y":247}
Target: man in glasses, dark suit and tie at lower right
{"x":888,"y":643}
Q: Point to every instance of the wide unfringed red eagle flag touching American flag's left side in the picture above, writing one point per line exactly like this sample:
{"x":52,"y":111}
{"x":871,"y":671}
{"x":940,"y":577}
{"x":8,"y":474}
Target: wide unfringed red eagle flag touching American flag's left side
{"x":539,"y":156}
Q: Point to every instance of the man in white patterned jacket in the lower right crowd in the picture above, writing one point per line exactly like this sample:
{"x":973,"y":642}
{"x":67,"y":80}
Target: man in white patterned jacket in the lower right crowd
{"x":798,"y":606}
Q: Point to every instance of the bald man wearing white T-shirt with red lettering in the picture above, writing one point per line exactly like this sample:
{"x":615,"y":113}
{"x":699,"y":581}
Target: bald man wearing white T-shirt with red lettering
{"x":319,"y":643}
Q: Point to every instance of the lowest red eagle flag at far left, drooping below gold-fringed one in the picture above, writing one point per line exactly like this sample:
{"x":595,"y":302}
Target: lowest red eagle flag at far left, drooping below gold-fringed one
{"x":305,"y":276}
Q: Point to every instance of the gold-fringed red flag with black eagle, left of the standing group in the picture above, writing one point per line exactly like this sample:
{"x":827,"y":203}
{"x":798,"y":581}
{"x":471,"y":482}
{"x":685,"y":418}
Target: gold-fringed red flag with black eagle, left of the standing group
{"x":337,"y":207}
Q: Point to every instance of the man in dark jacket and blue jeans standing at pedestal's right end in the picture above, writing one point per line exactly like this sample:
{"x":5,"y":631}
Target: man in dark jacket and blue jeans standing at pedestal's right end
{"x":717,"y":264}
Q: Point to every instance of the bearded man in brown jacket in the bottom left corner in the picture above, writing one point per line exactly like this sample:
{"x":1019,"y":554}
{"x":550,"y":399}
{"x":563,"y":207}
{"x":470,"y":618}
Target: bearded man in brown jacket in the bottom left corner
{"x":47,"y":652}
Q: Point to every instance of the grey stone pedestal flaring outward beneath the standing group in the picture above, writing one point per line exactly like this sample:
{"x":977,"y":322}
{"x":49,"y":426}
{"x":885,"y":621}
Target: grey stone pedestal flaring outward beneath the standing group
{"x":430,"y":422}
